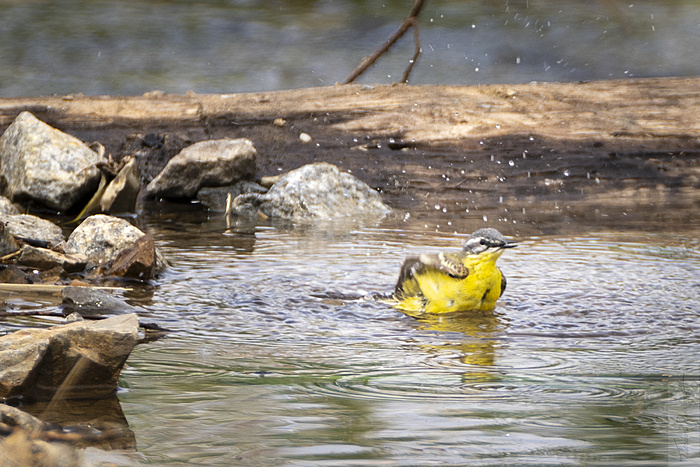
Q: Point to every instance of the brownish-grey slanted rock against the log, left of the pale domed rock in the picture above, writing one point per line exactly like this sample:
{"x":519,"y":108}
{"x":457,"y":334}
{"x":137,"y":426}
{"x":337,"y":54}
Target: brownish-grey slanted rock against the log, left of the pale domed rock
{"x":207,"y":163}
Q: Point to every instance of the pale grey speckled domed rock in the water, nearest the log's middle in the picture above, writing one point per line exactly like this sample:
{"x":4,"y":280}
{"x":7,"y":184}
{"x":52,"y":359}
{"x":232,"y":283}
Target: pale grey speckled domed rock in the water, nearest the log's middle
{"x":314,"y":191}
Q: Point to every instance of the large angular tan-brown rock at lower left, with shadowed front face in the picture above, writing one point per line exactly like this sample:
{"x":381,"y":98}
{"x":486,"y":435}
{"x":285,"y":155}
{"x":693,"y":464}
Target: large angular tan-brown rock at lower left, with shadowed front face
{"x":82,"y":360}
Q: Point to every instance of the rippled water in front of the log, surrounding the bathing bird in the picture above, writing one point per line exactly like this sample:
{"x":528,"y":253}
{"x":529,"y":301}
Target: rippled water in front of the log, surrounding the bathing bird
{"x":591,"y":357}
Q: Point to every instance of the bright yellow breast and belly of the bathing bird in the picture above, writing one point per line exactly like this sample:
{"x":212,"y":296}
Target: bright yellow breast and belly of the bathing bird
{"x":433,"y":291}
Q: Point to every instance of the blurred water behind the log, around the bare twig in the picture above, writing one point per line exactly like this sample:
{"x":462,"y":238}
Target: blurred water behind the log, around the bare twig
{"x":115,"y":47}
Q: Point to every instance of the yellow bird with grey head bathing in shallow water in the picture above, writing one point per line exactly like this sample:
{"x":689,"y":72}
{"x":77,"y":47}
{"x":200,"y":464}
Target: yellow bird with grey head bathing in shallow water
{"x":457,"y":281}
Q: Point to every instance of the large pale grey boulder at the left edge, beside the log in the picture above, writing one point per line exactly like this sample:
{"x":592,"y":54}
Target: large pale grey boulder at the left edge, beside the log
{"x":43,"y":164}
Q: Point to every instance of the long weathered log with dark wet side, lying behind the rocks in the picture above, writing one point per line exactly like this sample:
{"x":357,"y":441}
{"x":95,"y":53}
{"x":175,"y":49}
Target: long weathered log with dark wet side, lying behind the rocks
{"x":620,"y":154}
